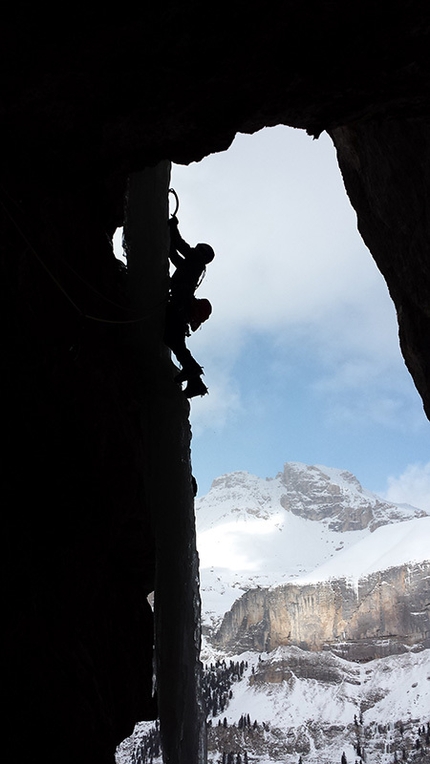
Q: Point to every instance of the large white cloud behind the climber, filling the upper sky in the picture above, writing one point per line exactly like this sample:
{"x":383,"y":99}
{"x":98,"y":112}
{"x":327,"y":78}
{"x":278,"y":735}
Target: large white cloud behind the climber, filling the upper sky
{"x":287,"y":248}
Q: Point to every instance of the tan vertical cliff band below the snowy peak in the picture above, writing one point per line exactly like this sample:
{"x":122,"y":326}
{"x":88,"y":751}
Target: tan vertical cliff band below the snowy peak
{"x":386,"y":612}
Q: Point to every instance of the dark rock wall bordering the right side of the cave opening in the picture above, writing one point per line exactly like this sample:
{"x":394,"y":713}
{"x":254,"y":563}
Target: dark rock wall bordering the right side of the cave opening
{"x":377,"y":191}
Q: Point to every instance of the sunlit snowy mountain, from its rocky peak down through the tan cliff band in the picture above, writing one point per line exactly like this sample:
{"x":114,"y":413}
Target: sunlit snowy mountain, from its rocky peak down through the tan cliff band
{"x":323,"y":564}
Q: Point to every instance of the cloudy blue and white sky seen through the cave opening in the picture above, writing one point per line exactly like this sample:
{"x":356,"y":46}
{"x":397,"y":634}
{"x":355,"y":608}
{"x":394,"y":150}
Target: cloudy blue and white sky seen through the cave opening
{"x":301,"y":354}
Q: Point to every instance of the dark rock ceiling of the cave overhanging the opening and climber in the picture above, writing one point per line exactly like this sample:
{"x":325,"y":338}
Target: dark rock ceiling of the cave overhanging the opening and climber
{"x":131,"y":85}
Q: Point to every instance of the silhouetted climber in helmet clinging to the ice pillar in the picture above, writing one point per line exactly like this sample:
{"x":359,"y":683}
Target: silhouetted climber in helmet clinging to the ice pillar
{"x":184,"y":311}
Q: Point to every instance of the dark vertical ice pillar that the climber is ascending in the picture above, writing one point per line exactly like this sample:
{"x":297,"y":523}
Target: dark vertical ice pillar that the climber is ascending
{"x":163,"y":419}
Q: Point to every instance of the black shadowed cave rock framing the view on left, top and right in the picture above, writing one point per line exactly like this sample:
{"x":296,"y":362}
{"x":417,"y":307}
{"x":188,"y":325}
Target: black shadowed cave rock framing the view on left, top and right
{"x":92,"y":419}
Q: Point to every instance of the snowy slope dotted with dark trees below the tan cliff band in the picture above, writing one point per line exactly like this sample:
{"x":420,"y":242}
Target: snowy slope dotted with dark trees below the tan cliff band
{"x":316,"y":719}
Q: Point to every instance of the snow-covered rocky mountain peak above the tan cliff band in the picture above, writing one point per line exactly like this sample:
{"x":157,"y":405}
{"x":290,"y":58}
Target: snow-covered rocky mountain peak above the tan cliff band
{"x":266,"y":532}
